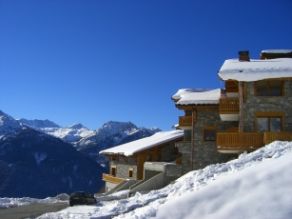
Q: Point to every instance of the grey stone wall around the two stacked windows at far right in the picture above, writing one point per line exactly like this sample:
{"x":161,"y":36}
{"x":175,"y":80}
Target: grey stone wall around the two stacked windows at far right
{"x":253,"y":104}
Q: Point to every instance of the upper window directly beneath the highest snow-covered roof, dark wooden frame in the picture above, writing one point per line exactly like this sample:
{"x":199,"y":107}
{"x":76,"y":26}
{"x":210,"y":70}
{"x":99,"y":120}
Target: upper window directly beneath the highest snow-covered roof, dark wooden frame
{"x":269,"y":88}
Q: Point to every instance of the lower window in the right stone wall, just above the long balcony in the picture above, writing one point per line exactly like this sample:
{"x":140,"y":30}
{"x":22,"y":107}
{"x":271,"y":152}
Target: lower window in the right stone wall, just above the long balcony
{"x":269,"y":124}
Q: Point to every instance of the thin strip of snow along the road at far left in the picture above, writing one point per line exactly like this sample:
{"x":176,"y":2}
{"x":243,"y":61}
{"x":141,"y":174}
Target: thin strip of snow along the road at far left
{"x":16,"y":202}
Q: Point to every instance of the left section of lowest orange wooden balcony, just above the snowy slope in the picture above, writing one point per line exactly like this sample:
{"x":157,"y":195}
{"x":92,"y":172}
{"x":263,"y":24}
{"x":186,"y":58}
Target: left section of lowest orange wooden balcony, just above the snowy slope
{"x":237,"y":142}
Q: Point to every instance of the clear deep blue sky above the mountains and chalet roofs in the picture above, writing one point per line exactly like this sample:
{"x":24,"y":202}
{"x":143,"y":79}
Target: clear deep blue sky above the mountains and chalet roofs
{"x":92,"y":61}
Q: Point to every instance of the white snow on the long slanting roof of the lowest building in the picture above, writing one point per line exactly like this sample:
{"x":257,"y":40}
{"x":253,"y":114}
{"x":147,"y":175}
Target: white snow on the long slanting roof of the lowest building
{"x":133,"y":147}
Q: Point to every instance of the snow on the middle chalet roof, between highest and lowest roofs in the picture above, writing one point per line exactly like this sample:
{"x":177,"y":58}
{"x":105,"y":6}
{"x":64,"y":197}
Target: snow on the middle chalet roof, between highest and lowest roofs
{"x":198,"y":96}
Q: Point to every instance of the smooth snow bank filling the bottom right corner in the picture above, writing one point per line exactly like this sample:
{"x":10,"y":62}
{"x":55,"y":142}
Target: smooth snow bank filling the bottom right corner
{"x":262,"y":191}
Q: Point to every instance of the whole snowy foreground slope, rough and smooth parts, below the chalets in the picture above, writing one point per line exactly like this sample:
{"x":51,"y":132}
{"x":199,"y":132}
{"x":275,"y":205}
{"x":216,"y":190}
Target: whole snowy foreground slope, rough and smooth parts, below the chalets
{"x":256,"y":185}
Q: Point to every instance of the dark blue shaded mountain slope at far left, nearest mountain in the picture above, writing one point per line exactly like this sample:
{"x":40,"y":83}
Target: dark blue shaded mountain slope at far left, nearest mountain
{"x":35,"y":164}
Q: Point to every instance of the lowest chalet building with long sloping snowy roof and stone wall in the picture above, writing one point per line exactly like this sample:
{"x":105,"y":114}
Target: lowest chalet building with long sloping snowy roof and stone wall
{"x":127,"y":160}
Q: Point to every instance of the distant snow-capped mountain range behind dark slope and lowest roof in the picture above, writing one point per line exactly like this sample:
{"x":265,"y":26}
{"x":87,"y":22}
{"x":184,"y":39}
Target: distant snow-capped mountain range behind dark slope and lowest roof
{"x":89,"y":141}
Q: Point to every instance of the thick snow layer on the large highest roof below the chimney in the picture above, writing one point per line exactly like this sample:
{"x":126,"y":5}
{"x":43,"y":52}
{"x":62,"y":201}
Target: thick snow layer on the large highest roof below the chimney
{"x":255,"y":69}
